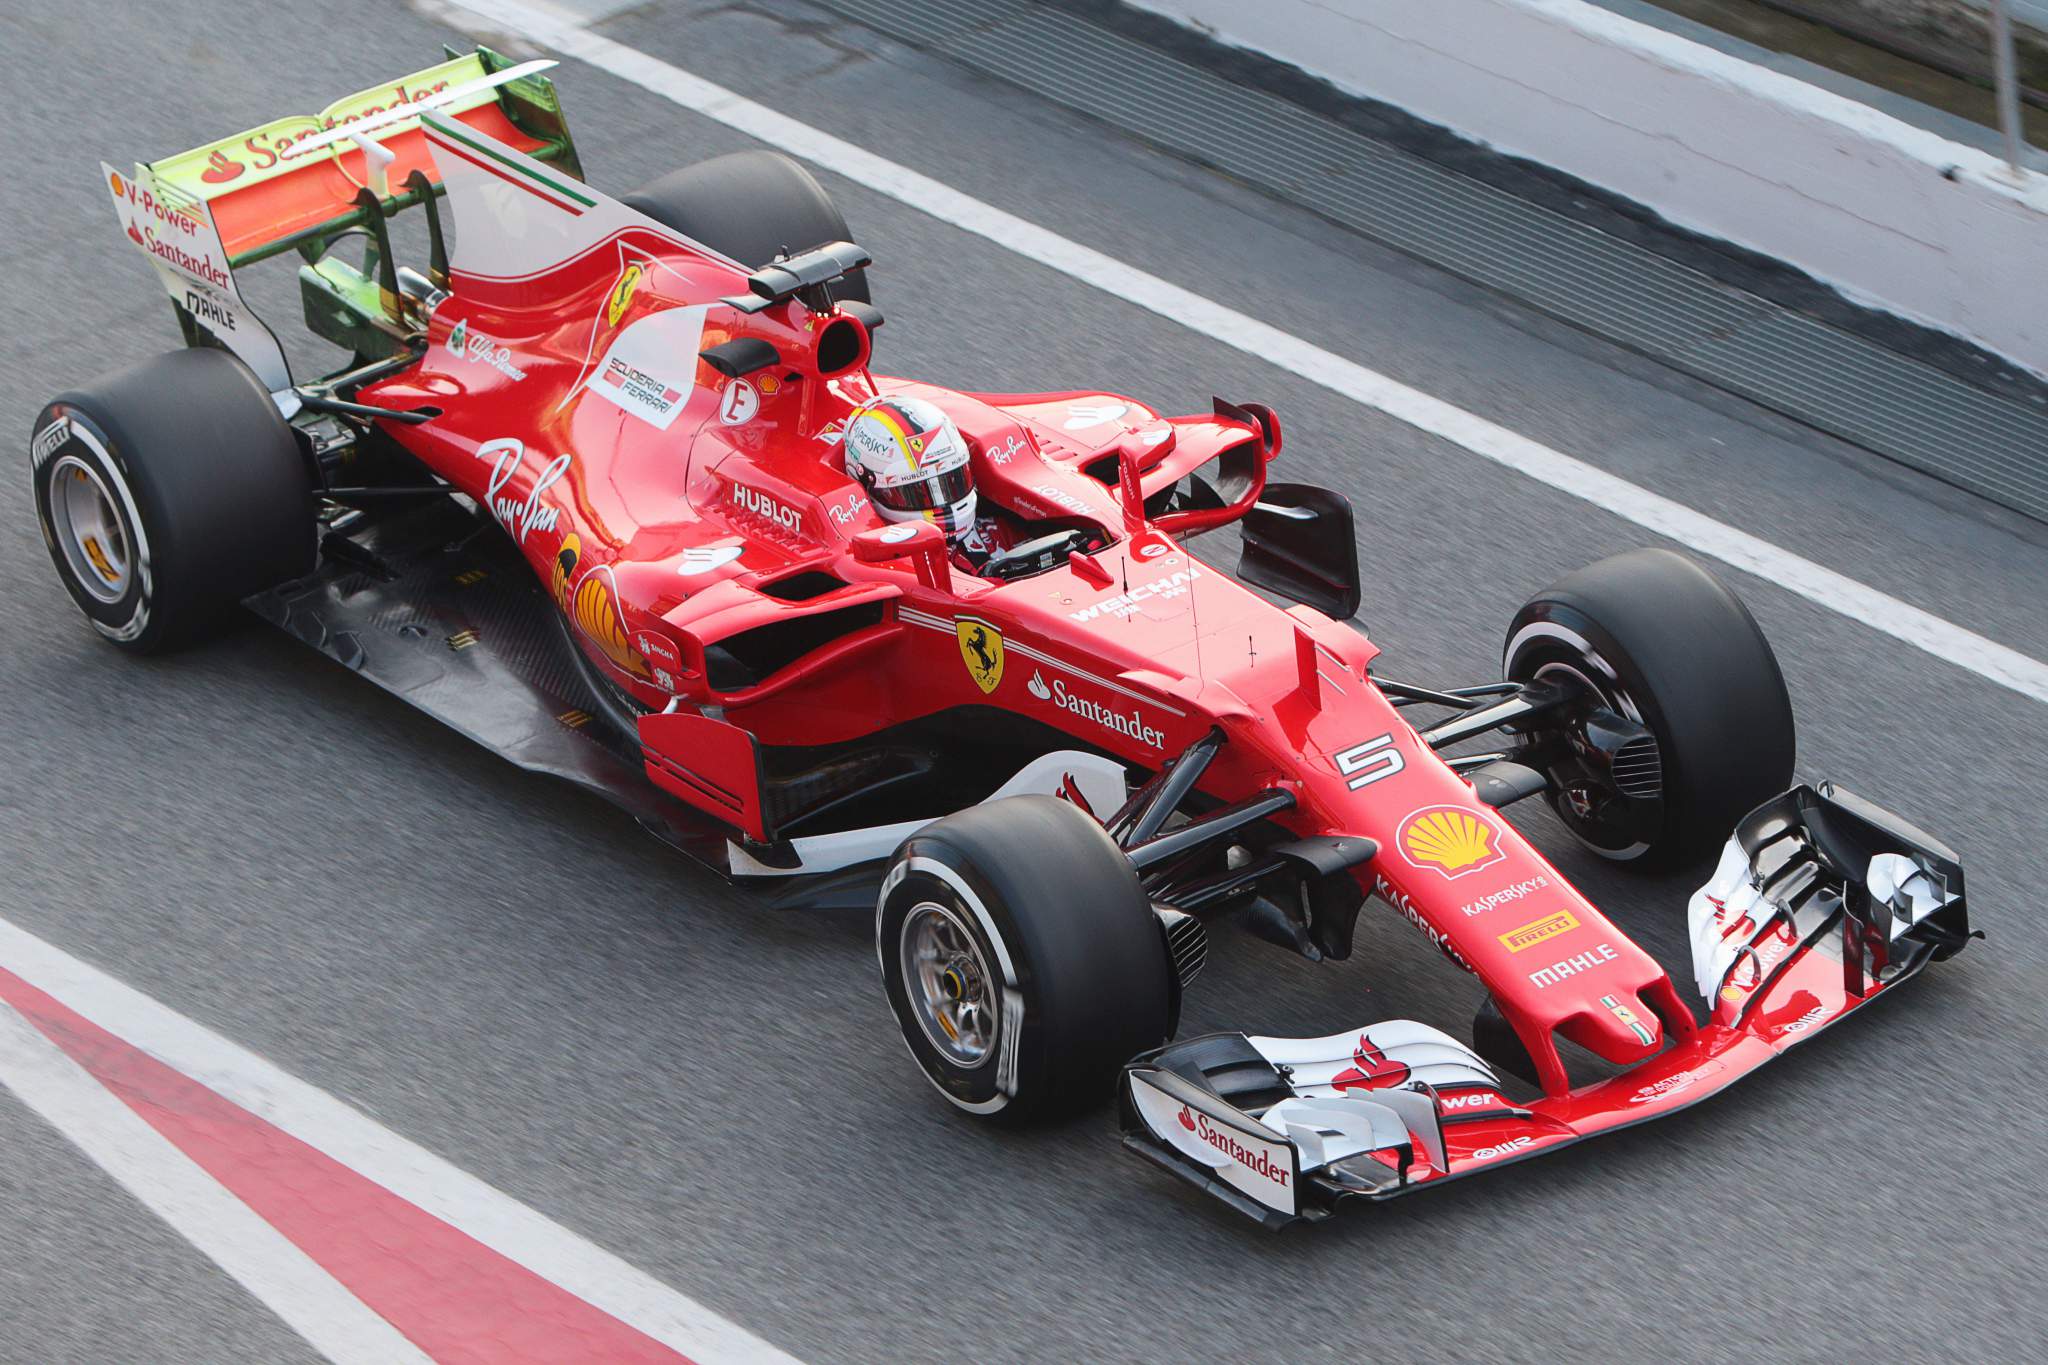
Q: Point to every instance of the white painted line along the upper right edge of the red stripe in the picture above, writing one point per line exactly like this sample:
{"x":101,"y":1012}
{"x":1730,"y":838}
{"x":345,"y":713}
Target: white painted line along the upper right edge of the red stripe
{"x":374,"y":1151}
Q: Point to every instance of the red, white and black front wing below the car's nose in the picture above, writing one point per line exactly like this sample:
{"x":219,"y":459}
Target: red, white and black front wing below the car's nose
{"x":1822,"y":904}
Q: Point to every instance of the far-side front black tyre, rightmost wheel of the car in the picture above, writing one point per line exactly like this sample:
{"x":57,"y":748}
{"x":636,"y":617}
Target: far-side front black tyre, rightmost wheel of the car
{"x":1668,"y":646}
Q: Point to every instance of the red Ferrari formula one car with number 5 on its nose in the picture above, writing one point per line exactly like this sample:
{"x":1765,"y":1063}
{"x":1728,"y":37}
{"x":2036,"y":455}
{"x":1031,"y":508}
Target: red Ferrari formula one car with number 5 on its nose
{"x":583,"y":494}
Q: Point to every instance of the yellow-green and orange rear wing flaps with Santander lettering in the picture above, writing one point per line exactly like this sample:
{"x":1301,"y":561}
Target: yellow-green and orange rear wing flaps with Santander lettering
{"x":296,"y":181}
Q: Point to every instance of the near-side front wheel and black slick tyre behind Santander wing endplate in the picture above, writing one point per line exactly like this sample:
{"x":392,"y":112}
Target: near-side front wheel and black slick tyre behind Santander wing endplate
{"x":1023,"y":961}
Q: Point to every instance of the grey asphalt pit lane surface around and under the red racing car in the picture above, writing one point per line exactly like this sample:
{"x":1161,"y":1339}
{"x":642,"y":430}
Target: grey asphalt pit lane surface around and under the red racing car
{"x":517,"y":979}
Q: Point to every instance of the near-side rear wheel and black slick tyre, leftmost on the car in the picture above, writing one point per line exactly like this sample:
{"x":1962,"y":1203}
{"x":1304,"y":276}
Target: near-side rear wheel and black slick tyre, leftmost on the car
{"x":167,"y":494}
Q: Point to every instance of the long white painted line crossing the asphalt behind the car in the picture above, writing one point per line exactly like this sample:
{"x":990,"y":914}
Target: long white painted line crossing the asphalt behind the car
{"x":1838,"y":592}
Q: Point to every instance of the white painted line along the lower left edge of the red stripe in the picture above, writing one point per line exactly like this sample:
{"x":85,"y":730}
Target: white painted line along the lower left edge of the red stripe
{"x":177,"y":1190}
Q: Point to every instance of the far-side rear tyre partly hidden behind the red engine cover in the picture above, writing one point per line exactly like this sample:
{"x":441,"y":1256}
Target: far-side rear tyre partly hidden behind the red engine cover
{"x":753,"y":206}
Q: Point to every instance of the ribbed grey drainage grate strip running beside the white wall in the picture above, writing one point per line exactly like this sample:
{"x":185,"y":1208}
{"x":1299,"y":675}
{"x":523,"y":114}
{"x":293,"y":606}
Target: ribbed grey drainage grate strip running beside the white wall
{"x":1801,"y":367}
